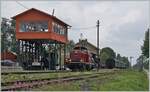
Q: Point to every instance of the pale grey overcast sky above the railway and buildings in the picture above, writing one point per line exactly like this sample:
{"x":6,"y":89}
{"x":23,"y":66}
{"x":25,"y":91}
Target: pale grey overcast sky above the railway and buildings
{"x":122,"y":23}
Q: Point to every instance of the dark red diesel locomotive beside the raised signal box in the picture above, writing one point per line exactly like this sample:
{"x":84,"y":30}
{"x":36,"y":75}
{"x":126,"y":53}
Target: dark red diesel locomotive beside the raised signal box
{"x":80,"y":59}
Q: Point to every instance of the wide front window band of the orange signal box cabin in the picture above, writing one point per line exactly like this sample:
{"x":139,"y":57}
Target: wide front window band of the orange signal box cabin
{"x":36,"y":26}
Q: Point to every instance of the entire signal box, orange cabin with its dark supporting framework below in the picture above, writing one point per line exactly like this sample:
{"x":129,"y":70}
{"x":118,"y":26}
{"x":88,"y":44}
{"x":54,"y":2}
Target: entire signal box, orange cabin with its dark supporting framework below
{"x":41,"y":38}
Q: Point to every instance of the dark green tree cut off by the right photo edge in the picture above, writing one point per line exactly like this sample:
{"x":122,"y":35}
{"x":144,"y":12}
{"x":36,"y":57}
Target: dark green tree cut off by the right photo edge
{"x":145,"y":47}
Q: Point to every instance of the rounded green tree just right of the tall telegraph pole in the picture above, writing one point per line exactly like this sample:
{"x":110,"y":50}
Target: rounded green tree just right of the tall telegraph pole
{"x":107,"y":53}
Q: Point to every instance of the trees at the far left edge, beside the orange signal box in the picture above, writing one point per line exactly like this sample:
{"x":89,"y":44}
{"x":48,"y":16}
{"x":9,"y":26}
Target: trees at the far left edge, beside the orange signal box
{"x":8,"y":39}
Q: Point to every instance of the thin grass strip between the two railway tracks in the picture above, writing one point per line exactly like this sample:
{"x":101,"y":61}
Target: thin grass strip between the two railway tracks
{"x":15,"y":77}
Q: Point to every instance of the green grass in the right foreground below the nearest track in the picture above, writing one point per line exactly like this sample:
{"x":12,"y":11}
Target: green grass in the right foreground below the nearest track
{"x":127,"y":80}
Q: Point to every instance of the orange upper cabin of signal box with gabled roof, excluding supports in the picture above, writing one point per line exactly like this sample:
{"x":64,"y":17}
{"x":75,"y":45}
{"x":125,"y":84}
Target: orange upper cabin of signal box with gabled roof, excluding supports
{"x":35,"y":24}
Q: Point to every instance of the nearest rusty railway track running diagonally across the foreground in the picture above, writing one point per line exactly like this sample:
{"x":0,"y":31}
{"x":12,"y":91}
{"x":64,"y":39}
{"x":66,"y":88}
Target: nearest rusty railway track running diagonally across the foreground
{"x":27,"y":84}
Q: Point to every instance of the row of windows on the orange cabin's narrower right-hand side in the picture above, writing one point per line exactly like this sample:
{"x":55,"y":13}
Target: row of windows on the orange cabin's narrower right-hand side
{"x":58,"y":28}
